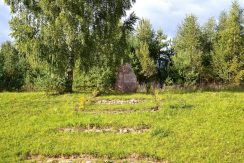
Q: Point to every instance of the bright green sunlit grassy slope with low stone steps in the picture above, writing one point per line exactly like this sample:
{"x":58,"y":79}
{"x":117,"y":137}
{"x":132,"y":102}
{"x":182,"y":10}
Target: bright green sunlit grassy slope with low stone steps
{"x":188,"y":127}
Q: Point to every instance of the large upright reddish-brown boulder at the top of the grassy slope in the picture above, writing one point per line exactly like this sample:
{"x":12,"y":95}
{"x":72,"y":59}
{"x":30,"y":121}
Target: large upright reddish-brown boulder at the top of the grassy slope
{"x":126,"y":80}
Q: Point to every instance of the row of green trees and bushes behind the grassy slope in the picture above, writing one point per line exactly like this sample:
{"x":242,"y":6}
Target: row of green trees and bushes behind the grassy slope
{"x":64,"y":45}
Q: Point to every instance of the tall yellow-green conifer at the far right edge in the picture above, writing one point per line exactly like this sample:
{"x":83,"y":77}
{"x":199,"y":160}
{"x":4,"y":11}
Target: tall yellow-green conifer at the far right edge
{"x":227,"y":58}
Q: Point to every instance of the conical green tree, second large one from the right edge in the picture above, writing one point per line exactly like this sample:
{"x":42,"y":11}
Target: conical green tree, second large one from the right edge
{"x":188,"y":49}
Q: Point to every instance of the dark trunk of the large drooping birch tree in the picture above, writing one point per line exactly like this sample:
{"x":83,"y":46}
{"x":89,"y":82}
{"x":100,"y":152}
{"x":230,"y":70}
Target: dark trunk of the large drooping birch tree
{"x":69,"y":74}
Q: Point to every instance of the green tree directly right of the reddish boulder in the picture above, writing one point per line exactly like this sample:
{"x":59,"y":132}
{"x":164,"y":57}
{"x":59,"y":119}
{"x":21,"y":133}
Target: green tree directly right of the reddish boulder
{"x":146,"y":45}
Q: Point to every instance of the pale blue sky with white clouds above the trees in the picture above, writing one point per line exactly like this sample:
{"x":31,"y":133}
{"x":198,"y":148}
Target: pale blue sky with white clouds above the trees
{"x":164,"y":14}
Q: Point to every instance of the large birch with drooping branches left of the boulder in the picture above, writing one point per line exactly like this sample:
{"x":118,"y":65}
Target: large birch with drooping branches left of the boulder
{"x":60,"y":33}
